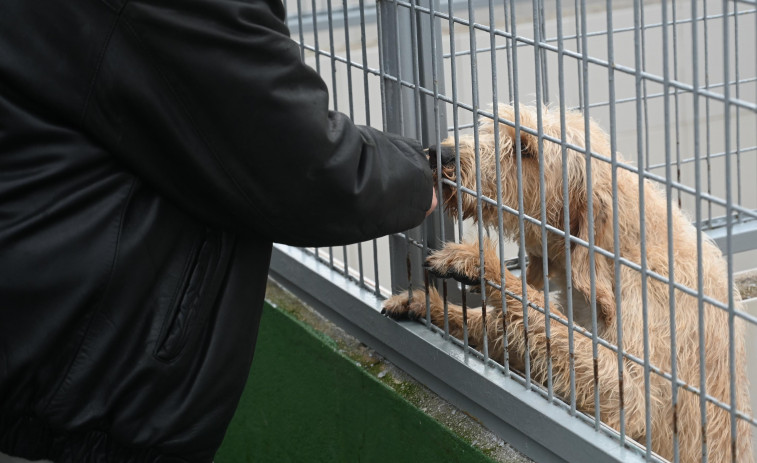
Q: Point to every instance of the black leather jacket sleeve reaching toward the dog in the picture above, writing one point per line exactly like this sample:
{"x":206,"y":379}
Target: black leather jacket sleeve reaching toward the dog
{"x":208,"y":101}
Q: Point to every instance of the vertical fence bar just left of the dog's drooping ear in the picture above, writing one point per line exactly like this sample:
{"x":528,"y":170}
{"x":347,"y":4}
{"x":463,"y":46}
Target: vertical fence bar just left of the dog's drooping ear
{"x":566,"y":207}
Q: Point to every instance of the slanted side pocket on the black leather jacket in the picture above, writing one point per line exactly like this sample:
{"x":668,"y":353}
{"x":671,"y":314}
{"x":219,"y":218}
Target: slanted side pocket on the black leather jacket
{"x":198,"y":292}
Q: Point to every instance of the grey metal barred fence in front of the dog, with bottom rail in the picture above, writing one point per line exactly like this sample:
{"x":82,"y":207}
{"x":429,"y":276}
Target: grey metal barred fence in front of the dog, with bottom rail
{"x":674,"y":86}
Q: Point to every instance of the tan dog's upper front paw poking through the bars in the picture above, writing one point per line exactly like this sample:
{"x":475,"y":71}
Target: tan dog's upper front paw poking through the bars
{"x":459,"y":261}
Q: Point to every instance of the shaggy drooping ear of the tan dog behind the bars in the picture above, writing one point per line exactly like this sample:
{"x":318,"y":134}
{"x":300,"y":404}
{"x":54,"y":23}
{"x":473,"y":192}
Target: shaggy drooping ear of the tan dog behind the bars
{"x":604,"y":275}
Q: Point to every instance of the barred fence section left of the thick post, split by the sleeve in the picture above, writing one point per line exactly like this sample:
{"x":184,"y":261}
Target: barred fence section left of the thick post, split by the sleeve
{"x":338,"y":39}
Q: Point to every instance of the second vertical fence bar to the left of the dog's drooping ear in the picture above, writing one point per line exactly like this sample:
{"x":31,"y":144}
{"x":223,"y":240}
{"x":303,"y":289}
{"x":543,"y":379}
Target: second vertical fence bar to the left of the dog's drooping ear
{"x":538,"y":63}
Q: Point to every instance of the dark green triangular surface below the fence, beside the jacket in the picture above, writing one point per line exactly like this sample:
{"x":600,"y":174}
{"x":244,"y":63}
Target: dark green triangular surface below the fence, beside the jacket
{"x":305,"y":402}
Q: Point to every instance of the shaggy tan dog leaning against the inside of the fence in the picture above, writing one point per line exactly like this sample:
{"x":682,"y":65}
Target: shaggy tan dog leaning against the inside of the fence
{"x":462,"y":261}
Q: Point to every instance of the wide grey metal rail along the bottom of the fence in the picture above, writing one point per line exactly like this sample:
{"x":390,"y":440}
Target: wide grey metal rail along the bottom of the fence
{"x":523,"y":418}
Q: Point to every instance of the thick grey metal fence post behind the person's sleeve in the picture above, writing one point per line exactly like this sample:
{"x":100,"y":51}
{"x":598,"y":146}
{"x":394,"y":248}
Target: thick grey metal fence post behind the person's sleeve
{"x":408,"y":59}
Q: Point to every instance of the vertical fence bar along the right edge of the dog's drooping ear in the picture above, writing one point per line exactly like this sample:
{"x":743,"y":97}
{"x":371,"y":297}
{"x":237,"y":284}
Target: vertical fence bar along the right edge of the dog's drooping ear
{"x":615,"y":216}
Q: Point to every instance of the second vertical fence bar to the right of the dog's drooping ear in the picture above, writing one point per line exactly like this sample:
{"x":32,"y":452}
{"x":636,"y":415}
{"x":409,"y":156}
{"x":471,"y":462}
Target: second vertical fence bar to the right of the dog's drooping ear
{"x":642,"y":227}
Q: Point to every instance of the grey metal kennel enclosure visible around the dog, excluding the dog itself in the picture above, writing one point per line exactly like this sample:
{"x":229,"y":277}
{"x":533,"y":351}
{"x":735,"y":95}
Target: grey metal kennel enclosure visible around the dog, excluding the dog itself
{"x":673,"y":83}
